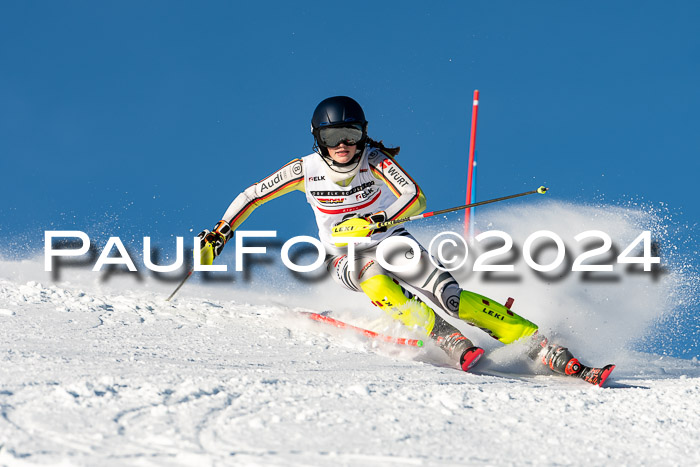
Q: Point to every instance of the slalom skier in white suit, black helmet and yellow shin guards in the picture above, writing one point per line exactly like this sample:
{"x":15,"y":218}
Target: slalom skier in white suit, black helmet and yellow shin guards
{"x":352,"y":180}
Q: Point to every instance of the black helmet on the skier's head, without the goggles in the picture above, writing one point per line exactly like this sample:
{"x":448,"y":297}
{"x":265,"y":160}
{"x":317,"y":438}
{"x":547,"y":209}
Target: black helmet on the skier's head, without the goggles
{"x":338,"y":111}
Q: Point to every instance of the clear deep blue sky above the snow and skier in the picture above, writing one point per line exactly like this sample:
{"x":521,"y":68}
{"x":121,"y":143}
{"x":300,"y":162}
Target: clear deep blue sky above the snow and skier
{"x":148,"y":118}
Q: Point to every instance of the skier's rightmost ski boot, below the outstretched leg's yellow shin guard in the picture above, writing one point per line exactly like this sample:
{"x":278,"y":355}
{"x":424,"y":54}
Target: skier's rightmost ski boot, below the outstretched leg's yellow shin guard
{"x":561,"y":361}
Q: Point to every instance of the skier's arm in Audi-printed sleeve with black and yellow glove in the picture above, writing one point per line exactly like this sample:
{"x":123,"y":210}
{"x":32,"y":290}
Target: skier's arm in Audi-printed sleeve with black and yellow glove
{"x":288,"y":178}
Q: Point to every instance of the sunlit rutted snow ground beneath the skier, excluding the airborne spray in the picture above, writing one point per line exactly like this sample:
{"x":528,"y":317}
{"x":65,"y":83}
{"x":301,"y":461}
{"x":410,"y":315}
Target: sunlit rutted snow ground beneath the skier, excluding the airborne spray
{"x":122,"y":377}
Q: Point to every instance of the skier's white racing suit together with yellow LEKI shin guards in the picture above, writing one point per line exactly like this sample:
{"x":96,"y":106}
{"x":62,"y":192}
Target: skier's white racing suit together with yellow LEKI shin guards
{"x":379,"y":184}
